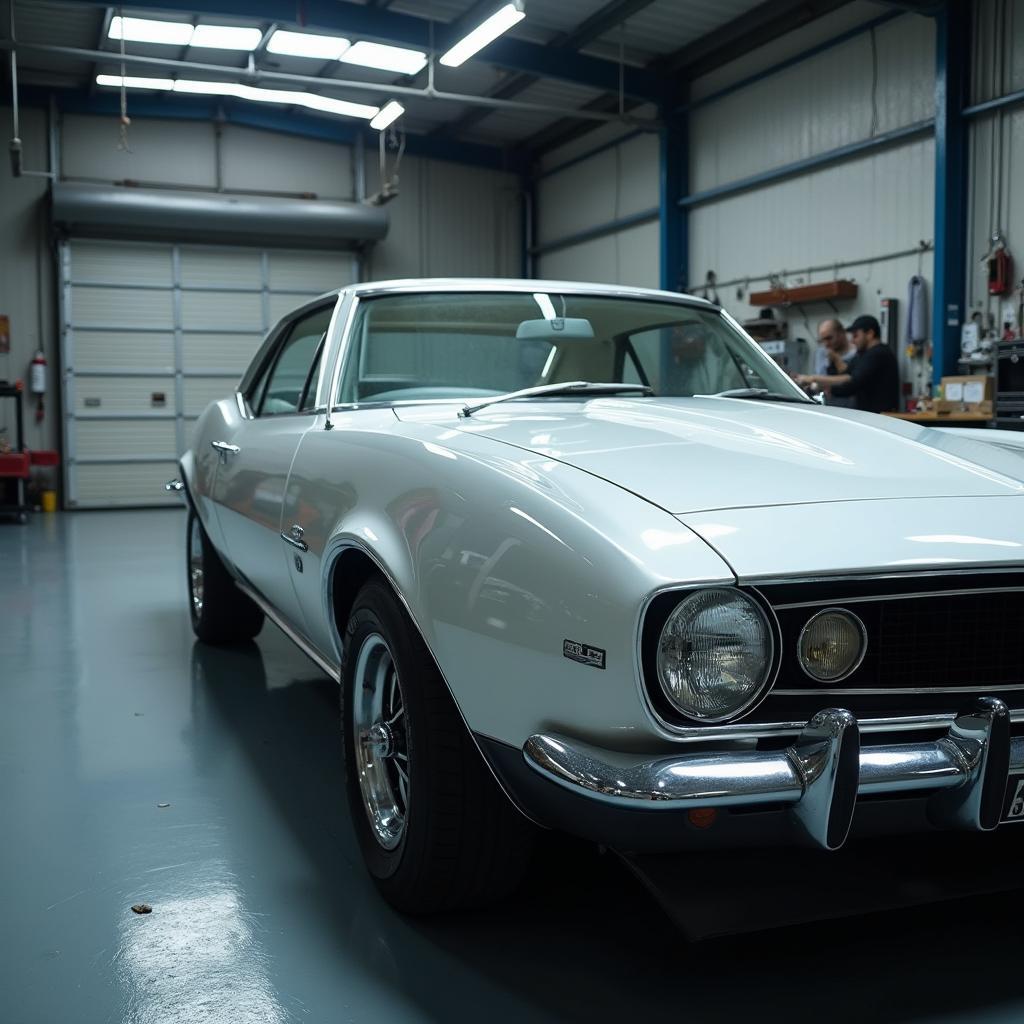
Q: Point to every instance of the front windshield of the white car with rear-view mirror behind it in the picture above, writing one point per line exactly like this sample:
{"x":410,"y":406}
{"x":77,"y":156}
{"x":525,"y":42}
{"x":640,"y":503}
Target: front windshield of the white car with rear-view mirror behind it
{"x":418,"y":348}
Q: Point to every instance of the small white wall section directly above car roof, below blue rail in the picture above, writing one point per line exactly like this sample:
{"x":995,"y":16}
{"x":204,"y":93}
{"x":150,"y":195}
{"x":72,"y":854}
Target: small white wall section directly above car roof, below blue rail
{"x":629,"y":258}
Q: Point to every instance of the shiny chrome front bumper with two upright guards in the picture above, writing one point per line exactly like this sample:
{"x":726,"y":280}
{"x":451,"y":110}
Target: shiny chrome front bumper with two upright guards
{"x":963,"y":775}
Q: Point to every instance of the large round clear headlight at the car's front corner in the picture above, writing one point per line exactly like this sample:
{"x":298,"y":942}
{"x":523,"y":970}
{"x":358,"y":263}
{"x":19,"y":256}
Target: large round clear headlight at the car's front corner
{"x":715,"y":655}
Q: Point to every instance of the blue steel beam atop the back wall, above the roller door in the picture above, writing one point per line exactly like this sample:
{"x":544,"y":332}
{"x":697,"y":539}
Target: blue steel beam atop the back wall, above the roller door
{"x":269,"y":119}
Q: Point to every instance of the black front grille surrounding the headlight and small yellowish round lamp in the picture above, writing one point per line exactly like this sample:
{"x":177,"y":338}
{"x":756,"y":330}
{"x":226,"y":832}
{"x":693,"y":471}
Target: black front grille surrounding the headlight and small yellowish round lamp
{"x":934,"y":642}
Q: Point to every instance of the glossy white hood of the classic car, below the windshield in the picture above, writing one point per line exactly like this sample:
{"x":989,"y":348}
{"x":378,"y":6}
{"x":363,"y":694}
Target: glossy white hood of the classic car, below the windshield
{"x":699,"y":455}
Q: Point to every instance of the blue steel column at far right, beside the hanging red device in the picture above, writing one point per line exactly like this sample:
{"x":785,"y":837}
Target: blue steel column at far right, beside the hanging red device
{"x":953,"y":46}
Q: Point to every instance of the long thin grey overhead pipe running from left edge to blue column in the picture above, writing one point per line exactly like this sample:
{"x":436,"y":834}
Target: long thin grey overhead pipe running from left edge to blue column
{"x":257,"y":76}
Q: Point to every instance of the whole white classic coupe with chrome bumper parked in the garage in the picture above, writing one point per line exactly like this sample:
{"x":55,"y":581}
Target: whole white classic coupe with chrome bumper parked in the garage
{"x":585,"y":558}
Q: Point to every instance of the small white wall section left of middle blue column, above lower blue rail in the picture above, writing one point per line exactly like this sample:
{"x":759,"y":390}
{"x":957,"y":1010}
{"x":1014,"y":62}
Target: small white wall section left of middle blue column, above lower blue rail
{"x":612,"y":185}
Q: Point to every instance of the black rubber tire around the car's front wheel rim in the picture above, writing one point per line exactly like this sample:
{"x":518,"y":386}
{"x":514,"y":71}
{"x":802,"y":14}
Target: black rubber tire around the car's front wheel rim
{"x":463,"y":844}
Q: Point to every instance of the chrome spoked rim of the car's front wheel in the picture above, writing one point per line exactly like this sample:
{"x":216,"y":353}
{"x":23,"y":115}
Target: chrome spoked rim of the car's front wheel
{"x":381,"y":742}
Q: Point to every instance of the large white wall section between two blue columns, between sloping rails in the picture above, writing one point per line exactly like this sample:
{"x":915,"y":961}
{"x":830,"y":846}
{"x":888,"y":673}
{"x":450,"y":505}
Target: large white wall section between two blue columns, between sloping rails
{"x":817,"y":106}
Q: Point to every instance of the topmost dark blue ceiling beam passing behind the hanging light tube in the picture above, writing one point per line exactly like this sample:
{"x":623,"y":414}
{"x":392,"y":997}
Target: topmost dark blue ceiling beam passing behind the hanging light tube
{"x":361,"y":21}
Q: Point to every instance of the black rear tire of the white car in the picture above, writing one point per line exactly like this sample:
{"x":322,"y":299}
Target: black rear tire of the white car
{"x":223,"y":615}
